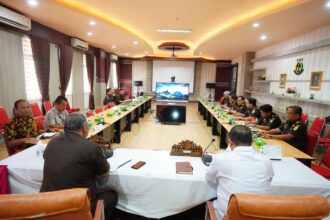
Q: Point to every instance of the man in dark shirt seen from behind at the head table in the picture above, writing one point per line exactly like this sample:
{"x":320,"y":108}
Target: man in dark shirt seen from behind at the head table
{"x":71,"y":161}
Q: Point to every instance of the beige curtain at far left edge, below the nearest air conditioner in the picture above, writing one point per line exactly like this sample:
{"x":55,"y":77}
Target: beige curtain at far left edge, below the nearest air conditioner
{"x":12,"y":83}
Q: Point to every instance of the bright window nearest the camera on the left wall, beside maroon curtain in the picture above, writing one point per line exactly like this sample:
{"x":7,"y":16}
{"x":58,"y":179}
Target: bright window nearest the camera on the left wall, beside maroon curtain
{"x":31,"y":82}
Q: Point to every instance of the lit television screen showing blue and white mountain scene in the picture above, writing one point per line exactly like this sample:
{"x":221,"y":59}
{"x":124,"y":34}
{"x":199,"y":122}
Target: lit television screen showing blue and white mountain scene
{"x":172,"y":92}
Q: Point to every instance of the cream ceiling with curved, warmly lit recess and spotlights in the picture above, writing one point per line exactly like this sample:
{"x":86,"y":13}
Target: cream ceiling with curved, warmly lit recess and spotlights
{"x":222,"y":29}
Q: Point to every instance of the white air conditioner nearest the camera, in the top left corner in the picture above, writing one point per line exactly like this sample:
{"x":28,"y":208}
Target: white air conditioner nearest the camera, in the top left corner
{"x":14,"y":19}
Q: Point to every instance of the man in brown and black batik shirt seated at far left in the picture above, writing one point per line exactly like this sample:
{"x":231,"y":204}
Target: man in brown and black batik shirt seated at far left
{"x":21,"y":131}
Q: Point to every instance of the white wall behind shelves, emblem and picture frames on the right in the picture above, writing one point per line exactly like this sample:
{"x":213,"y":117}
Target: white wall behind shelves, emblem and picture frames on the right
{"x":314,"y":60}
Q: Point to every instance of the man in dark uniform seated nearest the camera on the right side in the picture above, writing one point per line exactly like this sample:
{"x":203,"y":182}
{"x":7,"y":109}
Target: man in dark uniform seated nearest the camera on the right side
{"x":293,"y":130}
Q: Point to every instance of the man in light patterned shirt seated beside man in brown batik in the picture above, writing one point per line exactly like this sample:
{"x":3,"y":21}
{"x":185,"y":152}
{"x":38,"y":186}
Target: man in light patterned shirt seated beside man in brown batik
{"x":55,"y":116}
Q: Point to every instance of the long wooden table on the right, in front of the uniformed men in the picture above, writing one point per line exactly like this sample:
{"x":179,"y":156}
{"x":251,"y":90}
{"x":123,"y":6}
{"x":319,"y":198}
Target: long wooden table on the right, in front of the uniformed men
{"x":220,"y":128}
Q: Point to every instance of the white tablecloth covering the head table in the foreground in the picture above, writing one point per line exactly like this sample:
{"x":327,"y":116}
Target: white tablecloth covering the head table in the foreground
{"x":155,"y":190}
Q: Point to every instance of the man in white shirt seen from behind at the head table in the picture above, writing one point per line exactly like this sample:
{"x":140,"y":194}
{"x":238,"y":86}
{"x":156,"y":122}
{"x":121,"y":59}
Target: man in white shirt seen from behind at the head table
{"x":243,"y":170}
